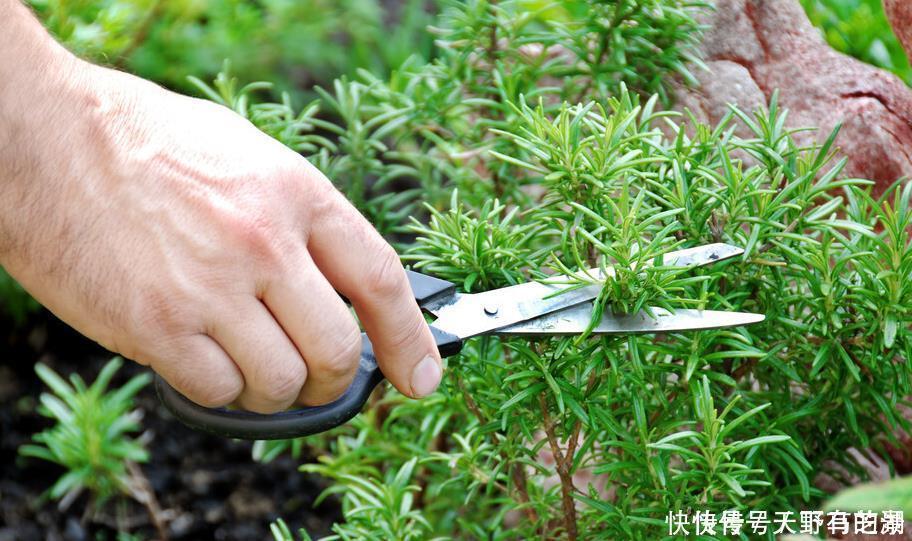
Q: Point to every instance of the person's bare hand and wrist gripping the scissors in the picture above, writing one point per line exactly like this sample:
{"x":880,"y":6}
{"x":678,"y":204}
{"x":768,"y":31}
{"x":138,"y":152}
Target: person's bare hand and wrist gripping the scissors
{"x":170,"y":230}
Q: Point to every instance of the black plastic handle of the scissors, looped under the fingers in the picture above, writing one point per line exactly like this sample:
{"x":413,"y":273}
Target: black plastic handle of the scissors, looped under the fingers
{"x":308,"y":420}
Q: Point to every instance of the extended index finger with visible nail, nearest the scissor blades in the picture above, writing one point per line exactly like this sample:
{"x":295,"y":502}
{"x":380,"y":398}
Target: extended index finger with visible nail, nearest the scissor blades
{"x":360,"y":264}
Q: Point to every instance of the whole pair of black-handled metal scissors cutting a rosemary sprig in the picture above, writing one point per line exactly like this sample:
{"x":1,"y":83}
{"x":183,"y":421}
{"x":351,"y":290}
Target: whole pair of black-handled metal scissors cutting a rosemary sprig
{"x":532,"y":308}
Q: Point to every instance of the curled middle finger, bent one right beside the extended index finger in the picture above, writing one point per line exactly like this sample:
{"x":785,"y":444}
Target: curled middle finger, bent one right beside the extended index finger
{"x":321,"y":326}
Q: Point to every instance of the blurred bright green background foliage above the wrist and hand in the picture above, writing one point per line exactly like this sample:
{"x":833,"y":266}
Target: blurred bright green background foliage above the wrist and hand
{"x":293,"y":43}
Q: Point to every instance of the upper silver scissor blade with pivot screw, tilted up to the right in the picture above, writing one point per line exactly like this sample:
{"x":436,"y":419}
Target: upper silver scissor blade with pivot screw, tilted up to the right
{"x":466,"y":315}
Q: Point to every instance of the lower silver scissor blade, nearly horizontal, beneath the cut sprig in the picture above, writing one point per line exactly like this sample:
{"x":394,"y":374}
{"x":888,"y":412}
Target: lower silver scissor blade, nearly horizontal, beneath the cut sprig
{"x":576,"y":319}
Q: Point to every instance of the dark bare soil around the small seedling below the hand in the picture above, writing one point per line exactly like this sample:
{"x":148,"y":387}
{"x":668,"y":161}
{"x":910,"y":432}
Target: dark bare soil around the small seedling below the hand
{"x":207,"y":487}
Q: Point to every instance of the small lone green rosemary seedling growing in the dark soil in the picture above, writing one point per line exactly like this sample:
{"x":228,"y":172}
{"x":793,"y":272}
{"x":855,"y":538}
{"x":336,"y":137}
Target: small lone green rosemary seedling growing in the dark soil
{"x":90,"y":435}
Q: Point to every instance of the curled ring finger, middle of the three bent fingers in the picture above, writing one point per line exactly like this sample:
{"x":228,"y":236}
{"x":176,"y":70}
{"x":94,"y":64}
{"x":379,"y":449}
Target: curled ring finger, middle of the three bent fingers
{"x":273,"y":370}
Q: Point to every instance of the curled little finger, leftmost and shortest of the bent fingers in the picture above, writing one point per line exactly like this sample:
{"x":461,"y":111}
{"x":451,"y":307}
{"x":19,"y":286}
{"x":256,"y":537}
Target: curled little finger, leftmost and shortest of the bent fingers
{"x":198,"y":368}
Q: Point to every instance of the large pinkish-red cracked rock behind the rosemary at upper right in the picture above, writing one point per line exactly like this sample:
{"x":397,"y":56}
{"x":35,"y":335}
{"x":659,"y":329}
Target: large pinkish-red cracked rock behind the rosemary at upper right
{"x":753,"y":47}
